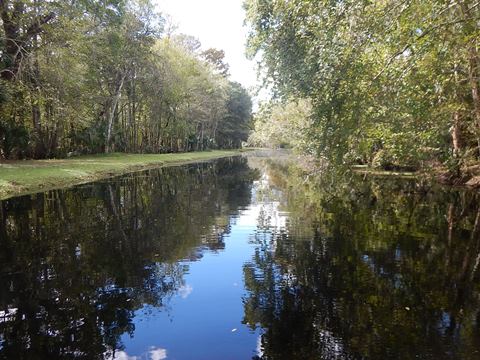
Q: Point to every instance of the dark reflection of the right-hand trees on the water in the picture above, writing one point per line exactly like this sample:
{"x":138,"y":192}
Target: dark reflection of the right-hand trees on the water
{"x":365,"y":269}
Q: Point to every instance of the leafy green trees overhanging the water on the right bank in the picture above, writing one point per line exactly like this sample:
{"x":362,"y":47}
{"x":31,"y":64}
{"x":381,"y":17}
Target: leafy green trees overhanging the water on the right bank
{"x":393,"y":84}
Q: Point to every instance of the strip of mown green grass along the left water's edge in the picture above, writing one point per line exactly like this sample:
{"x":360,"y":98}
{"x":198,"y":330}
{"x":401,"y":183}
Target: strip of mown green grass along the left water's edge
{"x":24,"y":177}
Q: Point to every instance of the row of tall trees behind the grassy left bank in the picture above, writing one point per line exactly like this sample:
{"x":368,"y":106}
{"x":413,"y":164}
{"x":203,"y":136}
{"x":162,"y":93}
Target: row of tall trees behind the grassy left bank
{"x":93,"y":76}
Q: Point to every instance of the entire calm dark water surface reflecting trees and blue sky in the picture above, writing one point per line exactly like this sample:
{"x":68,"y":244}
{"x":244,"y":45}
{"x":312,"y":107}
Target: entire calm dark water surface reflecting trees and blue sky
{"x":241,"y":258}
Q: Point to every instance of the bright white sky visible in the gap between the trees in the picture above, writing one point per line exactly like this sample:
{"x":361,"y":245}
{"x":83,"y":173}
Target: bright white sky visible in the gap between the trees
{"x":217,"y":24}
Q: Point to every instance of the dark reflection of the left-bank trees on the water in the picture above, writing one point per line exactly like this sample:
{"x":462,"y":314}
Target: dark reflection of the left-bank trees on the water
{"x":76,"y":264}
